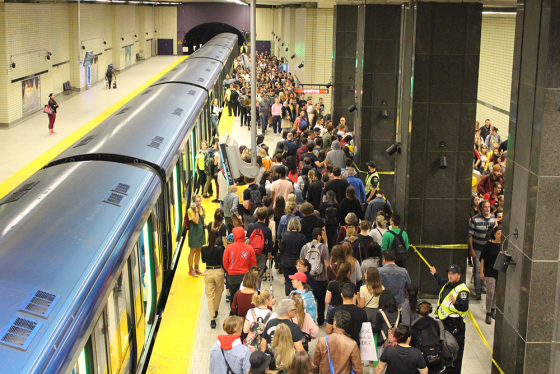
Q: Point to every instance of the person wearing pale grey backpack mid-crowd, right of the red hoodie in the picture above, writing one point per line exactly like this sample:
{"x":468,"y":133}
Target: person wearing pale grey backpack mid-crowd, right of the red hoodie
{"x":316,"y":252}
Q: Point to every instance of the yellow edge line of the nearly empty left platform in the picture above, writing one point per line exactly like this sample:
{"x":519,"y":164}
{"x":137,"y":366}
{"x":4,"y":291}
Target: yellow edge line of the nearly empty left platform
{"x":28,"y":170}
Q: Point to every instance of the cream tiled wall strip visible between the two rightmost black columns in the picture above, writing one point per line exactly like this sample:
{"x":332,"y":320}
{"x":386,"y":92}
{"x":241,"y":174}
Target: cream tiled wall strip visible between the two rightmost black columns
{"x":496,"y":62}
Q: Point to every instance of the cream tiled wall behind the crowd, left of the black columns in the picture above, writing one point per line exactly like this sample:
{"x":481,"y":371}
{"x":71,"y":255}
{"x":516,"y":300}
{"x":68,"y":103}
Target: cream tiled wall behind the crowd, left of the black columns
{"x":308,"y":33}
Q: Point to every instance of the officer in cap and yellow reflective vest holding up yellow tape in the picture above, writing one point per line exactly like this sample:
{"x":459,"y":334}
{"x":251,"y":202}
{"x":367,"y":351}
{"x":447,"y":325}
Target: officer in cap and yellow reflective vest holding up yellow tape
{"x":453,"y":305}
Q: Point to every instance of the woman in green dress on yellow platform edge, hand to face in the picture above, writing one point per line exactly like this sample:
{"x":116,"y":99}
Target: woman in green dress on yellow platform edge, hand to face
{"x":196,"y":234}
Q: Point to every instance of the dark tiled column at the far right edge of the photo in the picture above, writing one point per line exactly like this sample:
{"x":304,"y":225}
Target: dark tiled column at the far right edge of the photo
{"x":527,"y":324}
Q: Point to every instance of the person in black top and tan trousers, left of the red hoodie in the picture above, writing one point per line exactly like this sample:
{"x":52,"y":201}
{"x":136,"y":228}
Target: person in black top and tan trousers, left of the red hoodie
{"x":212,"y":256}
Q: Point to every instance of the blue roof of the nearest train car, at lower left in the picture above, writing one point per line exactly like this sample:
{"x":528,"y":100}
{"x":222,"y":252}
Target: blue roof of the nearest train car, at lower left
{"x":58,"y":238}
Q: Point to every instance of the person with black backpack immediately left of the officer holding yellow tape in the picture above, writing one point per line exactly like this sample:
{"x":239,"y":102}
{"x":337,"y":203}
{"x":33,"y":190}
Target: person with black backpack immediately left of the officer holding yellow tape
{"x":426,"y":336}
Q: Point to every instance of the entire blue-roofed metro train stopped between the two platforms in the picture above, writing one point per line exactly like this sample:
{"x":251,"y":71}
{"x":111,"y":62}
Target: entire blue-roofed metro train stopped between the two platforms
{"x":89,"y":243}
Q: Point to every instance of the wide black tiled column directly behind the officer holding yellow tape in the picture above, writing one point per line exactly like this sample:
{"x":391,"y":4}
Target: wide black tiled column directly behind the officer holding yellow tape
{"x":435,"y":202}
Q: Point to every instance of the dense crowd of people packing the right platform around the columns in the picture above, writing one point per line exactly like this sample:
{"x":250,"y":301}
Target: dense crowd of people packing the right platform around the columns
{"x":337,"y":242}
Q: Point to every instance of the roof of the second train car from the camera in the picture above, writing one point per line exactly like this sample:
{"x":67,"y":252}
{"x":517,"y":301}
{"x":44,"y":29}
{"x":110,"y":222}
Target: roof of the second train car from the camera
{"x":149,"y":127}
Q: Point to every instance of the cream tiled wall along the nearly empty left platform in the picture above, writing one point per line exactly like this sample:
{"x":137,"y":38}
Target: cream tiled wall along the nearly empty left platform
{"x":28,"y":31}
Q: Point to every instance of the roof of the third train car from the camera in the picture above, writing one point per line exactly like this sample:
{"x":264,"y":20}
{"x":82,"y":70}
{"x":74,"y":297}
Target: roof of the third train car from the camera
{"x":198,"y":72}
